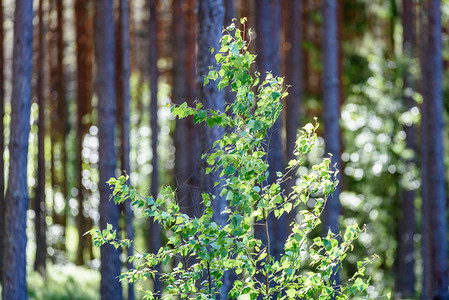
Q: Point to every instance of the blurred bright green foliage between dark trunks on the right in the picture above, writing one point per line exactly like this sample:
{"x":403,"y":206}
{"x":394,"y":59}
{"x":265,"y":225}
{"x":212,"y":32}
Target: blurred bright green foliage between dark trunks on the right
{"x":378,"y":164}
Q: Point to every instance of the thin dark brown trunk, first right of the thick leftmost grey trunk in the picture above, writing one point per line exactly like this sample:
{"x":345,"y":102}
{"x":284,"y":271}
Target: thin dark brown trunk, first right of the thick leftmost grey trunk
{"x":39,"y":201}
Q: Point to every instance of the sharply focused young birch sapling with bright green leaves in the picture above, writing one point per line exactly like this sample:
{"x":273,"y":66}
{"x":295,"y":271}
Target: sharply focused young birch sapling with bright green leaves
{"x":205,"y":250}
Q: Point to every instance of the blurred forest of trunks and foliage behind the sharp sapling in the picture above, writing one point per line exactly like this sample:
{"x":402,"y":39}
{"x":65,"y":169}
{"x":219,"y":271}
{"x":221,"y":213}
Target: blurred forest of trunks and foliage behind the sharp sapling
{"x":71,"y":71}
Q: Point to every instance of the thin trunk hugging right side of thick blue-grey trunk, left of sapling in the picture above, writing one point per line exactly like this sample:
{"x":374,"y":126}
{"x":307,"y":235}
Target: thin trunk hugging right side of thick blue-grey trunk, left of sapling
{"x":123,"y":68}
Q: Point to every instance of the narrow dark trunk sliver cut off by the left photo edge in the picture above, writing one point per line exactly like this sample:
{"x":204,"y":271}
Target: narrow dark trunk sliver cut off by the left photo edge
{"x":2,"y":142}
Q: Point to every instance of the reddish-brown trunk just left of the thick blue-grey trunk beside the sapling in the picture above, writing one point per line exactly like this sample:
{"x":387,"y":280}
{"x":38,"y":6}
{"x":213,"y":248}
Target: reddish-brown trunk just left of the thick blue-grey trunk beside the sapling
{"x":84,"y":61}
